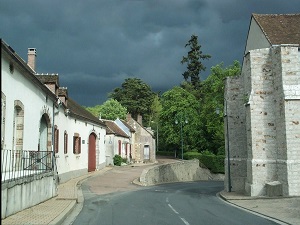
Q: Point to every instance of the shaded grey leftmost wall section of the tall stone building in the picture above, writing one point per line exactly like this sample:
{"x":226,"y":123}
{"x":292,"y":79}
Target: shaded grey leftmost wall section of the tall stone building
{"x":235,"y":136}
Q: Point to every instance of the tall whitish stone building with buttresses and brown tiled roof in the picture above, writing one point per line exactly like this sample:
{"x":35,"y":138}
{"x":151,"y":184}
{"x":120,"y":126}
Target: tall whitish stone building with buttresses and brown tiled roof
{"x":262,"y":110}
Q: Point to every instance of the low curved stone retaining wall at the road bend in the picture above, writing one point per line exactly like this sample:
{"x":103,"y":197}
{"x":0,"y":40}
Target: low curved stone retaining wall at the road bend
{"x":188,"y":170}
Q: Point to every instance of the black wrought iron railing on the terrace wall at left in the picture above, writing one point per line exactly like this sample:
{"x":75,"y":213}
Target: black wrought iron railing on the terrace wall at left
{"x":16,"y":164}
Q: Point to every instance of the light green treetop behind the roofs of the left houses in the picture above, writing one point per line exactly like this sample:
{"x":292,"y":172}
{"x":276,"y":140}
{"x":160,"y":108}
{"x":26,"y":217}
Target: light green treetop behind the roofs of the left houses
{"x":110,"y":110}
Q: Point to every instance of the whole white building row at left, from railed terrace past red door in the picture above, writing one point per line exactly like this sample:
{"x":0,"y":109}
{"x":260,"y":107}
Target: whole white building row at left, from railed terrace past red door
{"x":45,"y":135}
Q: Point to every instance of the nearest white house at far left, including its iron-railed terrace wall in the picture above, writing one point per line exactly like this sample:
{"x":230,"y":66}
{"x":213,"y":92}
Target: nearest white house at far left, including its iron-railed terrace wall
{"x":27,"y":118}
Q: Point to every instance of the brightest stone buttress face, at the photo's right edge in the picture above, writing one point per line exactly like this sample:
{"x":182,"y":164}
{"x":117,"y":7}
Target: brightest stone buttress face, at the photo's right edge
{"x":290,"y":107}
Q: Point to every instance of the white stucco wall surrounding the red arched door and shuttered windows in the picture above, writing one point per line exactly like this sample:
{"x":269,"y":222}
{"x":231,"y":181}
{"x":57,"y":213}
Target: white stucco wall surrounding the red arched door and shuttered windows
{"x":72,"y":165}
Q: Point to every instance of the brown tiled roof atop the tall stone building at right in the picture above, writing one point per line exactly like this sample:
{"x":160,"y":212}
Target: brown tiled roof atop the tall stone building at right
{"x":280,"y":28}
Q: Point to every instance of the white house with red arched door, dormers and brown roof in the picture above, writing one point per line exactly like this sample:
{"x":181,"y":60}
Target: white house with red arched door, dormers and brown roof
{"x":79,"y":136}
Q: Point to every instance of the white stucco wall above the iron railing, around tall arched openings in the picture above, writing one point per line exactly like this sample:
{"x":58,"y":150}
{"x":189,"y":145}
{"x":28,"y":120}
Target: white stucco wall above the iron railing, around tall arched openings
{"x":16,"y":87}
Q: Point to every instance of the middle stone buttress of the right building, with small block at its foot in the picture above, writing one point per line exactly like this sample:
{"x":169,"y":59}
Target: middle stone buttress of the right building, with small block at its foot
{"x":262,"y":141}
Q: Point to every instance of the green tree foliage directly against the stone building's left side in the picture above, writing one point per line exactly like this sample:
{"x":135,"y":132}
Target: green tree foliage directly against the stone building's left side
{"x":212,"y":100}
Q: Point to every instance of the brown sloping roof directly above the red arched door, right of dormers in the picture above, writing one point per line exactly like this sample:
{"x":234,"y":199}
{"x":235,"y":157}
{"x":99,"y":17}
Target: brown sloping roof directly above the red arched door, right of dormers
{"x":78,"y":111}
